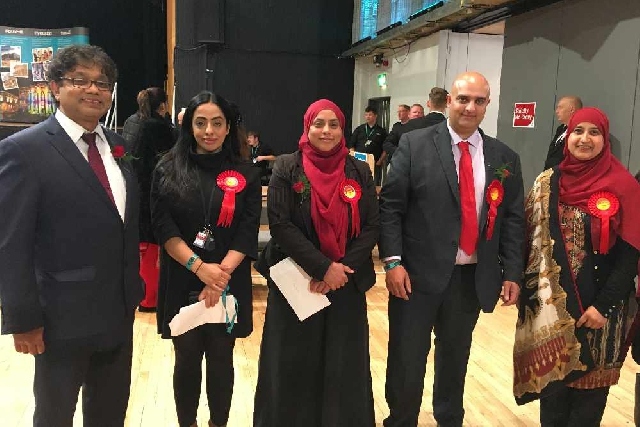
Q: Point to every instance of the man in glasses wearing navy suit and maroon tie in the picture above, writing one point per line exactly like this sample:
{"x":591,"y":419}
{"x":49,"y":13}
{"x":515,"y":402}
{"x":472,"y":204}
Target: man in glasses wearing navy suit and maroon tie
{"x":69,"y":247}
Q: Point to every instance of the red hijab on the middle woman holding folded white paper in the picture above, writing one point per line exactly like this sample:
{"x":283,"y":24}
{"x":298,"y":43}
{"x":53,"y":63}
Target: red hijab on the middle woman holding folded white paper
{"x":325,"y":171}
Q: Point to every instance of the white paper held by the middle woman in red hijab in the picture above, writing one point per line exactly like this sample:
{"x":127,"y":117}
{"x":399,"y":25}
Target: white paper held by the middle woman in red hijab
{"x":293,"y":282}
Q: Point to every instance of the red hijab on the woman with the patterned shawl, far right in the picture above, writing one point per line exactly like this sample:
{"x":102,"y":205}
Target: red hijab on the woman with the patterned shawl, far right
{"x":580,"y":179}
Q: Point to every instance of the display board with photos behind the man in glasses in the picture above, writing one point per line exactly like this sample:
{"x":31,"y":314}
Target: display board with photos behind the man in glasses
{"x":25,"y":57}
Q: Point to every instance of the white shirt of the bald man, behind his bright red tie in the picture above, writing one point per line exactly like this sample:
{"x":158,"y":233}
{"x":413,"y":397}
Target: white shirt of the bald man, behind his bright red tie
{"x":476,"y":148}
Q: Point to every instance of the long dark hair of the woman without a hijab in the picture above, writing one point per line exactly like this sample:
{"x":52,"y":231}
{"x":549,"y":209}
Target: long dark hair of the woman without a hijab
{"x":177,"y":166}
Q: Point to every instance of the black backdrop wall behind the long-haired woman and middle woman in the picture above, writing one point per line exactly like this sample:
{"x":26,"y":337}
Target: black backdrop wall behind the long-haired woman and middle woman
{"x":278,"y":57}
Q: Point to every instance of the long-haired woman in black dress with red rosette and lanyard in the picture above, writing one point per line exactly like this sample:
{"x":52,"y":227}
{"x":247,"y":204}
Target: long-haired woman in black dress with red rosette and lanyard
{"x":206,"y":205}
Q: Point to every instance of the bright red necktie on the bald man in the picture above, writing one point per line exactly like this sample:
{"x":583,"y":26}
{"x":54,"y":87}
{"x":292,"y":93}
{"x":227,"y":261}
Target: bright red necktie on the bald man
{"x":469,"y":231}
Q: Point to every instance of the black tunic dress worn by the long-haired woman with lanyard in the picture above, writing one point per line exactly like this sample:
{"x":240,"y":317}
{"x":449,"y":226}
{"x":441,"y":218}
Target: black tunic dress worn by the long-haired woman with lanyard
{"x":183,"y":216}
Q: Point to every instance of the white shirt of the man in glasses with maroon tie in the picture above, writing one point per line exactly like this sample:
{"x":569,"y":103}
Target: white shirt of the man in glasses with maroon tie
{"x":114,"y":174}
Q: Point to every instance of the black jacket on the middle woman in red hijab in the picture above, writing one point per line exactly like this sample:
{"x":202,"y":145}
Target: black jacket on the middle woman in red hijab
{"x":293,"y":232}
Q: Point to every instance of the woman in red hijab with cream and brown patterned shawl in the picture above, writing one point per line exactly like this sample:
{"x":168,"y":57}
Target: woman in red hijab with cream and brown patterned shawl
{"x":583,"y":237}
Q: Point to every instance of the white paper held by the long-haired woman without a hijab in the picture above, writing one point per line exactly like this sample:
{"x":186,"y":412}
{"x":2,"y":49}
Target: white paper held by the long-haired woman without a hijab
{"x":198,"y":314}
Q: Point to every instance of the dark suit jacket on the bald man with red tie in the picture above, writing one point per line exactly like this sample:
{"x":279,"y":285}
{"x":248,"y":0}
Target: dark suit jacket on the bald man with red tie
{"x":420,"y":215}
